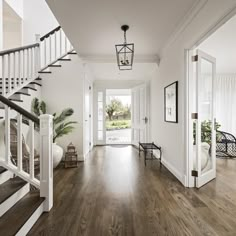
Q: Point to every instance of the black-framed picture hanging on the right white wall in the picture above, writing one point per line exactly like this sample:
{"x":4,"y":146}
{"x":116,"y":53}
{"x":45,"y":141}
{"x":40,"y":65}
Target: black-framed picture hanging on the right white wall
{"x":171,"y":102}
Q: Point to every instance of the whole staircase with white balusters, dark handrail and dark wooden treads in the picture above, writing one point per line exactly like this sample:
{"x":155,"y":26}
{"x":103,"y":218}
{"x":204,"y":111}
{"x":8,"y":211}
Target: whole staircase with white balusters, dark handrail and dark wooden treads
{"x":24,"y":193}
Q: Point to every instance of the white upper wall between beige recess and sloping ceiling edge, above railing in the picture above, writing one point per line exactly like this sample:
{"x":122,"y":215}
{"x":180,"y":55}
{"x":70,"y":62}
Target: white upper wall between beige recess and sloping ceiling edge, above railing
{"x":38,"y":19}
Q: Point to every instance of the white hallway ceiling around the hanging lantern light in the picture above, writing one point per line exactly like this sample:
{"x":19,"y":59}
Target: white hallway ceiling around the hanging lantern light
{"x":93,"y":27}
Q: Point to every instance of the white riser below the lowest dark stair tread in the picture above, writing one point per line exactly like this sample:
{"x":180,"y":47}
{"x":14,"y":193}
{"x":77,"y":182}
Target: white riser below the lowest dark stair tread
{"x":31,"y":221}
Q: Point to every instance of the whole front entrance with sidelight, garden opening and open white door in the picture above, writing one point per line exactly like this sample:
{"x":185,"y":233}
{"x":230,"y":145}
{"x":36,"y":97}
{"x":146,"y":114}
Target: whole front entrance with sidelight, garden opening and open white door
{"x":127,"y":124}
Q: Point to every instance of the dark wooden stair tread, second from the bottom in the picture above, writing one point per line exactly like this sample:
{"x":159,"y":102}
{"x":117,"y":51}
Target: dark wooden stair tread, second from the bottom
{"x":10,"y":187}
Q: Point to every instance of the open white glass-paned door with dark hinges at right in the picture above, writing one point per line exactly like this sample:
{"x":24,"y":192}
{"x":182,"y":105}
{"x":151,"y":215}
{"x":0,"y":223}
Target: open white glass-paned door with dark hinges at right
{"x":205,"y":134}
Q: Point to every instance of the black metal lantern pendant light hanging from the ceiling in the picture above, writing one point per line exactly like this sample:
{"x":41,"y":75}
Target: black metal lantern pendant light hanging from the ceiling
{"x":125,"y":52}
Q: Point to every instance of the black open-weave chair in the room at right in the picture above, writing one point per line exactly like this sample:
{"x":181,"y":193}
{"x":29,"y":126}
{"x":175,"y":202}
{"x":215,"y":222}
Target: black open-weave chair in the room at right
{"x":225,"y":145}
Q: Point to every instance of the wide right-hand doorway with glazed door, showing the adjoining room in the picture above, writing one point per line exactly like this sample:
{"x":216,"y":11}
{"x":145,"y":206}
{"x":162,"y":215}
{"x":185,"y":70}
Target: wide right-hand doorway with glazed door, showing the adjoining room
{"x":211,"y":96}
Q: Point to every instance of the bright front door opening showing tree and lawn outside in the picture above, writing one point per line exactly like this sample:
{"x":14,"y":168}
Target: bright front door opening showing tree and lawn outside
{"x":118,"y":116}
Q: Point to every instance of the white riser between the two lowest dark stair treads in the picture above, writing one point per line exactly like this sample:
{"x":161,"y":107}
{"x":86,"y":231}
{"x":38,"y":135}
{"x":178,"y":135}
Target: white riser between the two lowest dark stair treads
{"x":12,"y":200}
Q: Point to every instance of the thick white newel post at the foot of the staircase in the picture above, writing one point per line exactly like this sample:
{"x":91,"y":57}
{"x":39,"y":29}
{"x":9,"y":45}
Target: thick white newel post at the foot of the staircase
{"x":46,"y":162}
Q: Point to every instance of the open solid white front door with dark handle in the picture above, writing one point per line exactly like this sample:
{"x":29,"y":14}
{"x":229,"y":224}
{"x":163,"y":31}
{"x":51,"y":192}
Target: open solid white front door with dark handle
{"x":140,"y":116}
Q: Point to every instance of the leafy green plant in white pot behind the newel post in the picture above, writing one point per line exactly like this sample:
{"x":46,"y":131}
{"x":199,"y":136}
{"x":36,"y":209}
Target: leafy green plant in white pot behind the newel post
{"x":60,"y":126}
